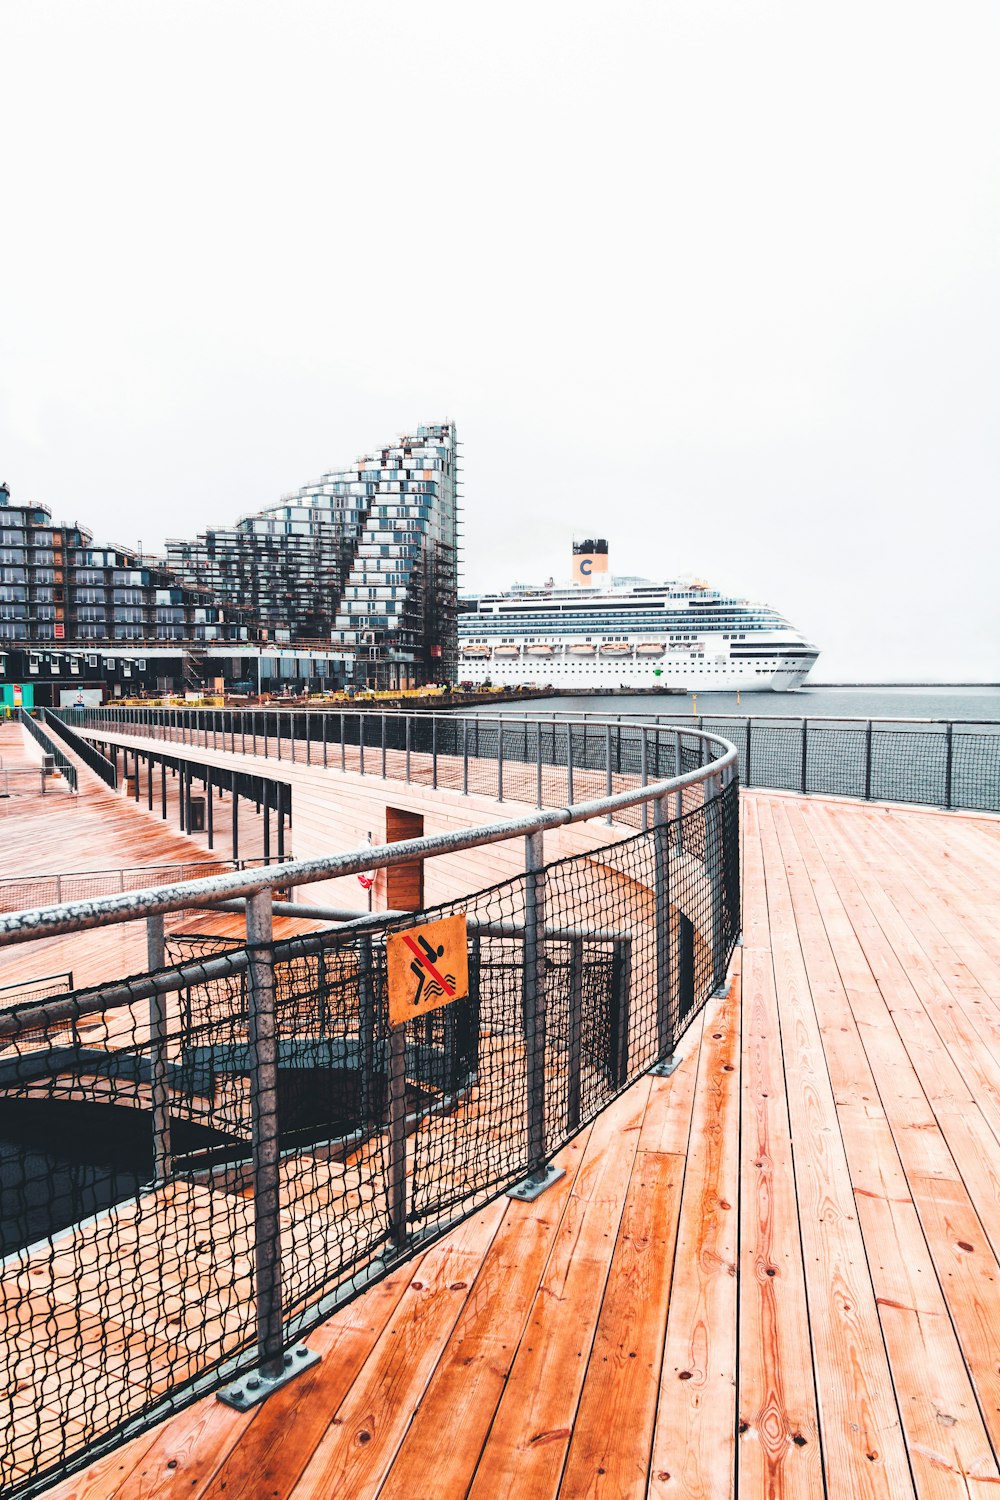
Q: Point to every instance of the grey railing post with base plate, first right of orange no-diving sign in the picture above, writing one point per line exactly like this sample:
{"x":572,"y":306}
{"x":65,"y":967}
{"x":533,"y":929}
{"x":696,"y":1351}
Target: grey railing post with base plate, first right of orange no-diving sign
{"x":540,"y":1177}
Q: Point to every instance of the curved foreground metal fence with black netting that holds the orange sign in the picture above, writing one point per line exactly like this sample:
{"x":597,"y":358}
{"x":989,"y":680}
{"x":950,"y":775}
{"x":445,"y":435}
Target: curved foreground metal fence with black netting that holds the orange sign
{"x":287,"y":1145}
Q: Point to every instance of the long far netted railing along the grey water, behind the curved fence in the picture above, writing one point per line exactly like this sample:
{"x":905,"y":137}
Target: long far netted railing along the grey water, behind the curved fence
{"x":936,"y":763}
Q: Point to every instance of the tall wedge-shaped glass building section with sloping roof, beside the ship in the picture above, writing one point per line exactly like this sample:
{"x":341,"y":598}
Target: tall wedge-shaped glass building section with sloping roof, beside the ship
{"x":365,"y":563}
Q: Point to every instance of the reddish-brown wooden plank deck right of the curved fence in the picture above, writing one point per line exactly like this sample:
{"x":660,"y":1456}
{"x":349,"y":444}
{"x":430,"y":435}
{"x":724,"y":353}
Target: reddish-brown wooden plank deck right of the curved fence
{"x":773,"y":1274}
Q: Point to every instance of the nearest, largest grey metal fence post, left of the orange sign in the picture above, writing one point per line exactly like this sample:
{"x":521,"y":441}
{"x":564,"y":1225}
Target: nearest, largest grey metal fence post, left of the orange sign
{"x":268,"y":1250}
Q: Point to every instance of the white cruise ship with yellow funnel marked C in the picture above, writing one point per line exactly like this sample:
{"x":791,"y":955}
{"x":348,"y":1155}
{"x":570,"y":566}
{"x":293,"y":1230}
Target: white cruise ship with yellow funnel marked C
{"x":627,"y":634}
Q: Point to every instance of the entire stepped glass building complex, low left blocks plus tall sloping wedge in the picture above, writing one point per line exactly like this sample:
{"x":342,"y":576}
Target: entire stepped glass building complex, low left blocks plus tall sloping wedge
{"x":352,"y":581}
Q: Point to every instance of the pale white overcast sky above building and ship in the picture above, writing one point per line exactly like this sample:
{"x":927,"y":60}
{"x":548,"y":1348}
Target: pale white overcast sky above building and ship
{"x":719,"y":281}
